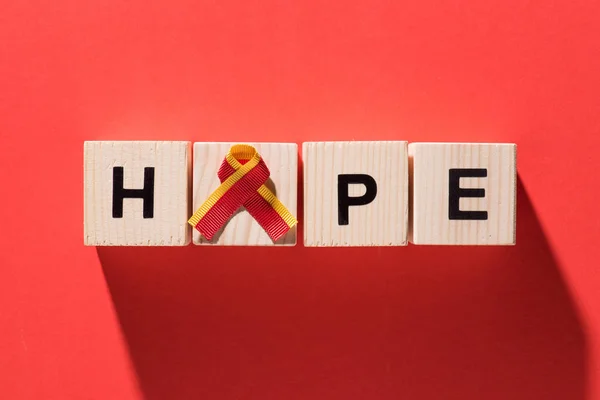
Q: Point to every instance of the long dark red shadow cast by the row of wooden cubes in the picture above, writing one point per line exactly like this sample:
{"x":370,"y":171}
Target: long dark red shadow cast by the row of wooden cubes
{"x":416,"y":322}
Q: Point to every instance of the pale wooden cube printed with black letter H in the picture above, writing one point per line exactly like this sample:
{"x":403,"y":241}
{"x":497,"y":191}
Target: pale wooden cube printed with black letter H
{"x":136,"y":193}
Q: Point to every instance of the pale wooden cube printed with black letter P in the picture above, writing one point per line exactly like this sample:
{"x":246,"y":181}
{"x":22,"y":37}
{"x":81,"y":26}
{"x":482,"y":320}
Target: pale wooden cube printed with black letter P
{"x":355,"y":193}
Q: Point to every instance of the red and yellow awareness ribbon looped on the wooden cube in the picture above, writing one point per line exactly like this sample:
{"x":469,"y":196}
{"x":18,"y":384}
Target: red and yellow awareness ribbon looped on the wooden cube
{"x":243,"y":174}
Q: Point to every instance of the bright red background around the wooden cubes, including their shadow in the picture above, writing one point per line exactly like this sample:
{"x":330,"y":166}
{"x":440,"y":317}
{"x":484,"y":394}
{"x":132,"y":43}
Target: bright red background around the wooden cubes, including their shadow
{"x":325,"y":323}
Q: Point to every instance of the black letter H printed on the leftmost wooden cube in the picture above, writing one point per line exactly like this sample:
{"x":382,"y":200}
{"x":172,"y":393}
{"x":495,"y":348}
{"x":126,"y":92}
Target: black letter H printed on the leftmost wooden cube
{"x":119,"y":193}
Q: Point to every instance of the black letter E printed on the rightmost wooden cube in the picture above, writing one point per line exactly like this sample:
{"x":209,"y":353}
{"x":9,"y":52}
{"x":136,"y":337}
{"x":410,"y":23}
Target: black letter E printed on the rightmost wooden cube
{"x":455,"y":193}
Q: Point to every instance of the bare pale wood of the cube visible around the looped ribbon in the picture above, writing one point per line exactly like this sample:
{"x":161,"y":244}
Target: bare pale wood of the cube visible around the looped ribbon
{"x":242,"y":229}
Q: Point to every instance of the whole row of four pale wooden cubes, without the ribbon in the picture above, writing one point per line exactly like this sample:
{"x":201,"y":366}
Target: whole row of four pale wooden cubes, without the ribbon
{"x":355,"y":193}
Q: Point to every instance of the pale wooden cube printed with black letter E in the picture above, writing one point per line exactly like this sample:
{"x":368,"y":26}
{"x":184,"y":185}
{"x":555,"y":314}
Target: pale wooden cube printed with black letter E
{"x":463,"y":193}
